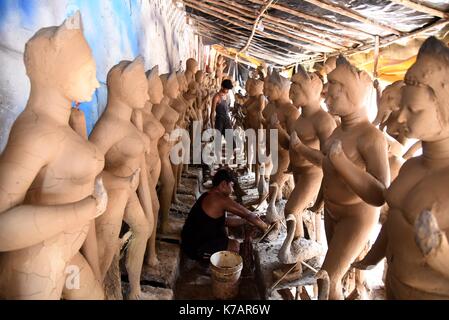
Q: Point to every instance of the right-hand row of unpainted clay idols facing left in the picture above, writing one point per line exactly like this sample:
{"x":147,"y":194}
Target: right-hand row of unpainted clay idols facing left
{"x":354,"y":162}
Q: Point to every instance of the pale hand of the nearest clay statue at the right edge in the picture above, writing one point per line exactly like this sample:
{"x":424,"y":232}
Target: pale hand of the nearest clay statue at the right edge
{"x":428,"y":235}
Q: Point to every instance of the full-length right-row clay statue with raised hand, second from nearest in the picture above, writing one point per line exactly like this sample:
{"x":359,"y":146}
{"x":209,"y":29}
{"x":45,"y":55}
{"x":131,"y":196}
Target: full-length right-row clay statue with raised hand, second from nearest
{"x":356,"y":171}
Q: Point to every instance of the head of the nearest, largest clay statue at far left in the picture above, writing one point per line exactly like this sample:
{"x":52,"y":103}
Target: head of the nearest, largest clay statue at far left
{"x":59,"y":57}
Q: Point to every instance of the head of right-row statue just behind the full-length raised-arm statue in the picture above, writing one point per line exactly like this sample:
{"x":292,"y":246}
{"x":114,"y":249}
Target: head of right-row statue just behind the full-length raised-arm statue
{"x":305,"y":88}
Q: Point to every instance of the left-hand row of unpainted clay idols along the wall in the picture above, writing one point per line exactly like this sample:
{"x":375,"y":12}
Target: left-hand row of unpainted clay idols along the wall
{"x":62,"y":197}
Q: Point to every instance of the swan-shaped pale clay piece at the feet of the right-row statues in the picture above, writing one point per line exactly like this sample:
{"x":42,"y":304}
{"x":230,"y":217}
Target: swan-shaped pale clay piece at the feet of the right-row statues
{"x":300,"y":249}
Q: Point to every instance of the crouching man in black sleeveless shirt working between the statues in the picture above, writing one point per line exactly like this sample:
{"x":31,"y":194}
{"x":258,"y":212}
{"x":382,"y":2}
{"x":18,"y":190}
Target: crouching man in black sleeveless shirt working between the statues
{"x":204,"y":231}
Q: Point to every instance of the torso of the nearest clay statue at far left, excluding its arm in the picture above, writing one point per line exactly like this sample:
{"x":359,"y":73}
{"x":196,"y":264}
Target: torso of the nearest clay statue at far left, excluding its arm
{"x":66,"y":178}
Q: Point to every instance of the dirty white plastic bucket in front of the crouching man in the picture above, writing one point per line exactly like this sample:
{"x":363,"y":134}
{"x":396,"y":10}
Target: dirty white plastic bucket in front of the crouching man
{"x":226,"y":267}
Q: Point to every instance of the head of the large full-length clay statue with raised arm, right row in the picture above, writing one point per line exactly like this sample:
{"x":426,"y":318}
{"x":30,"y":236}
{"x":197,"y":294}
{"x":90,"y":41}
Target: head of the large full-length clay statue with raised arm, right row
{"x":348,"y":88}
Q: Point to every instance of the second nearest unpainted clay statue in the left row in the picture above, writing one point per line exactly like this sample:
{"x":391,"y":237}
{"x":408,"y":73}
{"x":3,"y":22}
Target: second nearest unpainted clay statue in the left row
{"x":125,"y":146}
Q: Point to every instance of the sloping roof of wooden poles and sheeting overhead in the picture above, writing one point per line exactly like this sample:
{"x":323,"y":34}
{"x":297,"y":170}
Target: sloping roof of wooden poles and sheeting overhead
{"x":285,"y":32}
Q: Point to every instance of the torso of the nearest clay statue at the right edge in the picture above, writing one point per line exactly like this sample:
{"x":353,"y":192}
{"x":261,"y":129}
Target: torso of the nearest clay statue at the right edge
{"x":415,"y":190}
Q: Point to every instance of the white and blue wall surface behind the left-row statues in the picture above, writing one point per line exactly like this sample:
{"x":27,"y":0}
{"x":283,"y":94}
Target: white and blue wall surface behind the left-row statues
{"x":115,"y":30}
